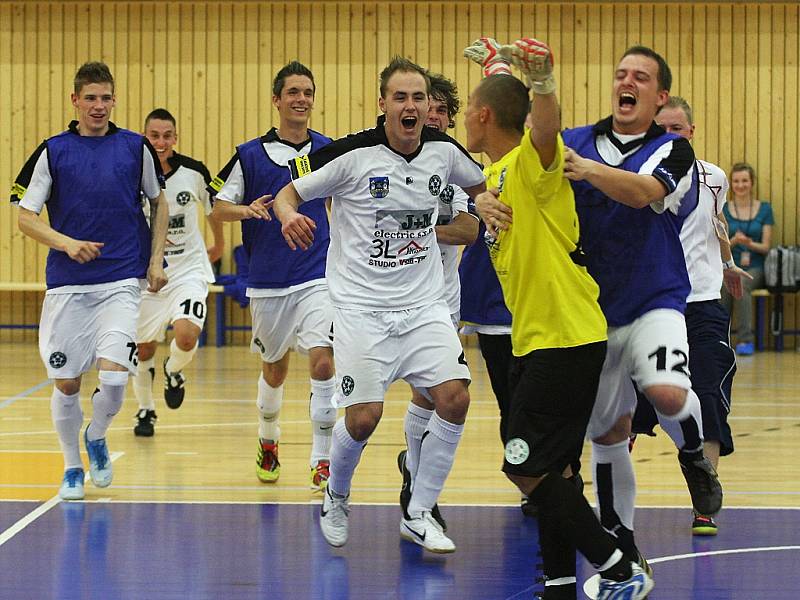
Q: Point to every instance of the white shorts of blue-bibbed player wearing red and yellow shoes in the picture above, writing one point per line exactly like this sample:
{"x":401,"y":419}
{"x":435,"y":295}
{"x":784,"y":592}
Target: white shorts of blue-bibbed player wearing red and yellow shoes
{"x":300,"y":321}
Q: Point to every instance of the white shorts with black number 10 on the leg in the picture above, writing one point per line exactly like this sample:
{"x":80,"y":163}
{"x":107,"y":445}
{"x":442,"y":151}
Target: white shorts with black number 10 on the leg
{"x":186,"y":300}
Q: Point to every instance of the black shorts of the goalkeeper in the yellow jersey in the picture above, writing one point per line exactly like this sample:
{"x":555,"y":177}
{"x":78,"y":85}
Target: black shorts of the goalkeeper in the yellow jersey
{"x":553,"y":393}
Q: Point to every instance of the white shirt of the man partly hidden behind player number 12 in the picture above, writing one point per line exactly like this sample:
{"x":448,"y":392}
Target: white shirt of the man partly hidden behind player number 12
{"x":699,"y":238}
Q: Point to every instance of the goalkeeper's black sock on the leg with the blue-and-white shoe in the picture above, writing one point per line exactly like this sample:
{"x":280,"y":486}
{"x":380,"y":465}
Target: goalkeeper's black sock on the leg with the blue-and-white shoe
{"x":569,"y":512}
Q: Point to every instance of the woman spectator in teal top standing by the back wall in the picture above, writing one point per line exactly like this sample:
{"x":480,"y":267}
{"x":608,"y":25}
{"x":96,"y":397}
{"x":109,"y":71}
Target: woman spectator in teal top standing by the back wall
{"x":750,"y":228}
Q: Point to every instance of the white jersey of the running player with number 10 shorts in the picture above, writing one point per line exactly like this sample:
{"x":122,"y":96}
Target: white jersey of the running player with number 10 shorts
{"x":186,"y":193}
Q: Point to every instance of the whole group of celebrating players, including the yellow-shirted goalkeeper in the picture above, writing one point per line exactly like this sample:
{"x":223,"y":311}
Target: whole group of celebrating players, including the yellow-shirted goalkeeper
{"x":592,"y":274}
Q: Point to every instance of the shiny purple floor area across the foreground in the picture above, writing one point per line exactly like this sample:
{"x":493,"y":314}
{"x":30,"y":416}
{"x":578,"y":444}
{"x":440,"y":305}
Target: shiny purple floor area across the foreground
{"x":117,"y":551}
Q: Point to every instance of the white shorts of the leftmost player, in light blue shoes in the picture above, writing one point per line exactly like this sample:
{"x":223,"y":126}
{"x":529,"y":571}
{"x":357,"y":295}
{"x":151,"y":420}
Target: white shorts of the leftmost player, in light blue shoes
{"x":77,"y":329}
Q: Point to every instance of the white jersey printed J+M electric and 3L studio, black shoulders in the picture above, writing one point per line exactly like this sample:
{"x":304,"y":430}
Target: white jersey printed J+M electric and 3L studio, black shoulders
{"x":383,"y":253}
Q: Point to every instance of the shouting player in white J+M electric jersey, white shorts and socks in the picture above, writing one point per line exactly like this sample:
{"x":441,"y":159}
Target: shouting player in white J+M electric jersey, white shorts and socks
{"x":385,"y":280}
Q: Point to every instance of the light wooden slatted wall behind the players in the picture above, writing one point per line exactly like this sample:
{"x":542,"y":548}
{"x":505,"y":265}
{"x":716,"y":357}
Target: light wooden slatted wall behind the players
{"x":212,"y":63}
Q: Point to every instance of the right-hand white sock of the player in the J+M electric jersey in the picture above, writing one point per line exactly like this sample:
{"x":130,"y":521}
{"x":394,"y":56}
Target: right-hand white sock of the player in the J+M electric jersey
{"x":437,"y":453}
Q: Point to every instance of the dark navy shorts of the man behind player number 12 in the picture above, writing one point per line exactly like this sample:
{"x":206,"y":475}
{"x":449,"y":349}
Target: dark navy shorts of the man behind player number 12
{"x":712,"y":364}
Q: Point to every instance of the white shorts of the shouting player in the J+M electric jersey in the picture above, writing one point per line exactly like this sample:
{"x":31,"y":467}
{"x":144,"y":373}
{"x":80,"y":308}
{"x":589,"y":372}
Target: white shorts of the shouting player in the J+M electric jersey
{"x":374,"y":349}
